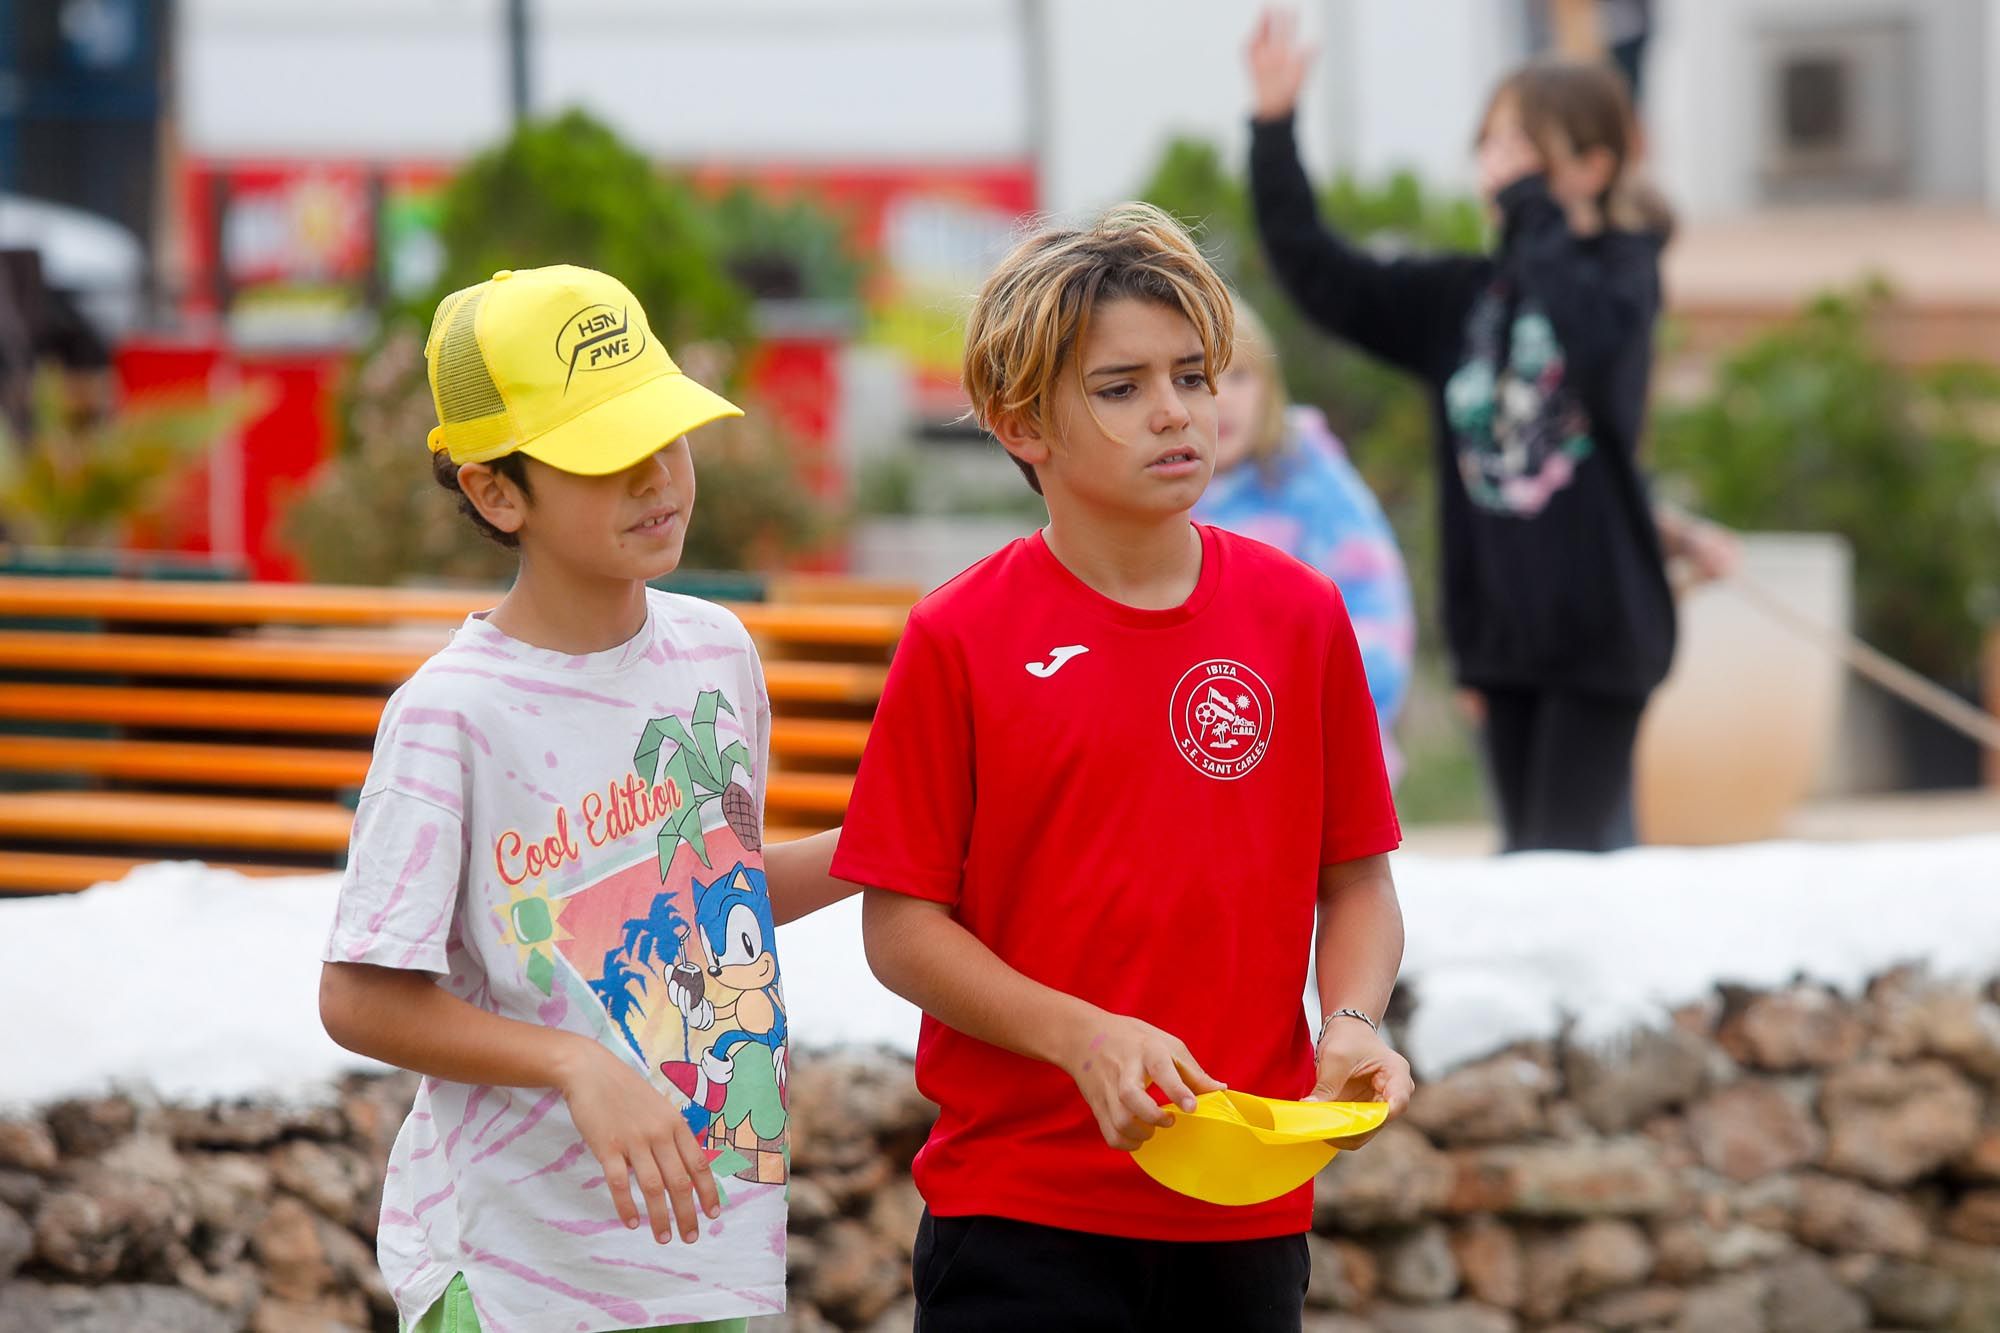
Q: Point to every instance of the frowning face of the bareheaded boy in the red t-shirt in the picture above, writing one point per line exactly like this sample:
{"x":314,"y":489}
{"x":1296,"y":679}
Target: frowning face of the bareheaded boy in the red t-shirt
{"x":1137,"y":433}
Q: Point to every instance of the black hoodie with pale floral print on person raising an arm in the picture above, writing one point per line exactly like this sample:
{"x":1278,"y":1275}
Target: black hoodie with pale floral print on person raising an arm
{"x":1537,"y":359}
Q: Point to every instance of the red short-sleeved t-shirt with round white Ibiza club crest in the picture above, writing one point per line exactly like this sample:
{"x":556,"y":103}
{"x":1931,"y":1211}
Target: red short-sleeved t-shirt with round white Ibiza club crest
{"x":1131,"y":808}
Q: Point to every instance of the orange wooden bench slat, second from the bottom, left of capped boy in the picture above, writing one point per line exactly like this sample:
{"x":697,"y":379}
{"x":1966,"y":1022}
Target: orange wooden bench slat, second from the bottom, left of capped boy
{"x":175,"y":822}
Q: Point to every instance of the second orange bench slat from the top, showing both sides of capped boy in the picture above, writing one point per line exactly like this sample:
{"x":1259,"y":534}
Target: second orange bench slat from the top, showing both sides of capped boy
{"x":341,"y":663}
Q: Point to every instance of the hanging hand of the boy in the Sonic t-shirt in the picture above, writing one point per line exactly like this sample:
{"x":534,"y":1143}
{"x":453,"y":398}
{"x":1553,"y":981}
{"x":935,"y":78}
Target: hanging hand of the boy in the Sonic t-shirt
{"x":637,"y":1132}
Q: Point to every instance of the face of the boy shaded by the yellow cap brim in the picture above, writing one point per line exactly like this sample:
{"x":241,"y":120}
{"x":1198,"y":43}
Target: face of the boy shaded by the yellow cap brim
{"x":625,"y":525}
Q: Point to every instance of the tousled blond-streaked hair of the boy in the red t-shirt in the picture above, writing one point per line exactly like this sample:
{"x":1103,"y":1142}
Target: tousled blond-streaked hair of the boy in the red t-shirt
{"x":1035,"y":309}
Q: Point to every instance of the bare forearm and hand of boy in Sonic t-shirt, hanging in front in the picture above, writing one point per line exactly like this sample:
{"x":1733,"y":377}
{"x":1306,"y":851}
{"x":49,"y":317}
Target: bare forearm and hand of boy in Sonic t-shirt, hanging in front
{"x":403,"y":1018}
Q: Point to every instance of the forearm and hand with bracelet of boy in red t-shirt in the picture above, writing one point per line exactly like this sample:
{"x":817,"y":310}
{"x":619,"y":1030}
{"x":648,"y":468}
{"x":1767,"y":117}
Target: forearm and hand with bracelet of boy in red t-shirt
{"x":1357,"y":954}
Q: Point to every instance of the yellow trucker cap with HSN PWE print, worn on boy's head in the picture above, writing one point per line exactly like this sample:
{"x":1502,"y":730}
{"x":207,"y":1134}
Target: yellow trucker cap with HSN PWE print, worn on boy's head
{"x":561,"y":365}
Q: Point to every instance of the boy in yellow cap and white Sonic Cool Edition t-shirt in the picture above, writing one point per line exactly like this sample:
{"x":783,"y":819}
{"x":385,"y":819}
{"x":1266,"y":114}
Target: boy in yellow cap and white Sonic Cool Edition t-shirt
{"x":557,"y":906}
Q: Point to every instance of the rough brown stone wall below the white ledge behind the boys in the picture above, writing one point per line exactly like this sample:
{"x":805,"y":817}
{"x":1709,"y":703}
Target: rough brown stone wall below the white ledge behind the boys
{"x":1773,"y":1164}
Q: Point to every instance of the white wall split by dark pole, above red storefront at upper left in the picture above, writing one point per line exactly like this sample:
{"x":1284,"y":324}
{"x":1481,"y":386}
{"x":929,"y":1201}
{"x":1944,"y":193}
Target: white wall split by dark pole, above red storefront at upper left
{"x":685,"y":79}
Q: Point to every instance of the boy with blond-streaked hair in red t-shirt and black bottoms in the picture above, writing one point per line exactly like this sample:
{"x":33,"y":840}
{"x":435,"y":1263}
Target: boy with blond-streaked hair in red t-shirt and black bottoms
{"x":1117,"y":770}
